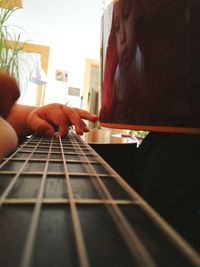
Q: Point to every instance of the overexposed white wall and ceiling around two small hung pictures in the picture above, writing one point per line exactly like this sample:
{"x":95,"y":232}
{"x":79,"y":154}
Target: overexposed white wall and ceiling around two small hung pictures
{"x":71,"y":28}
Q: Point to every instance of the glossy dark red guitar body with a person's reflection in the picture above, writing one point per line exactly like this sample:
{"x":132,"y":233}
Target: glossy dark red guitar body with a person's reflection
{"x":151,"y":66}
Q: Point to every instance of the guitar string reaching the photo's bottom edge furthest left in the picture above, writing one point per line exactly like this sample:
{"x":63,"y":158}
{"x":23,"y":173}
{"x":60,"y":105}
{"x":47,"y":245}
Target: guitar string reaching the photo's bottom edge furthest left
{"x":27,"y":254}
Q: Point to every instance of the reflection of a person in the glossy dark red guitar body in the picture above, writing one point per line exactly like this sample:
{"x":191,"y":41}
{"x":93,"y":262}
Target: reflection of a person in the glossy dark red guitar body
{"x":127,"y":77}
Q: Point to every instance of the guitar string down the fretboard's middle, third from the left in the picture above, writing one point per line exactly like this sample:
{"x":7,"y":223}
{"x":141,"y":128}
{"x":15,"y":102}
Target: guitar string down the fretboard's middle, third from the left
{"x":81,"y":248}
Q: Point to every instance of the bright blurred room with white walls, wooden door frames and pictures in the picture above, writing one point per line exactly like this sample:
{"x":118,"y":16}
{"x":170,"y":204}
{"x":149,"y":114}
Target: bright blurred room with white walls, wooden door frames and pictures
{"x":69,"y":33}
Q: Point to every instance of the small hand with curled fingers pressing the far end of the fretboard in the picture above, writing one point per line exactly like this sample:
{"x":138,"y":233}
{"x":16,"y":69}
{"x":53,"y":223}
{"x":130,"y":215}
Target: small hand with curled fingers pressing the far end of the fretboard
{"x":44,"y":119}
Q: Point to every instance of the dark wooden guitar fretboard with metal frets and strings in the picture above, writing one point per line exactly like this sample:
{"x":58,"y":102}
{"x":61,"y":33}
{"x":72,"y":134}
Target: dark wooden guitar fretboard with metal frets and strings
{"x":63,"y":205}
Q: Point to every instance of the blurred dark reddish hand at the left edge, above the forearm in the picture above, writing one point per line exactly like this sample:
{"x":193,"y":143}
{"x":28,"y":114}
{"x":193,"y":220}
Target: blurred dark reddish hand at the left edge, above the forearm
{"x":9,"y":92}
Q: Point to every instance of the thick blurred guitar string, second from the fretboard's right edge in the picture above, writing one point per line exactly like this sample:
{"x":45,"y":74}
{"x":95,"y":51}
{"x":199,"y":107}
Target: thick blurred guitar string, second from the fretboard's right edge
{"x":133,"y":242}
